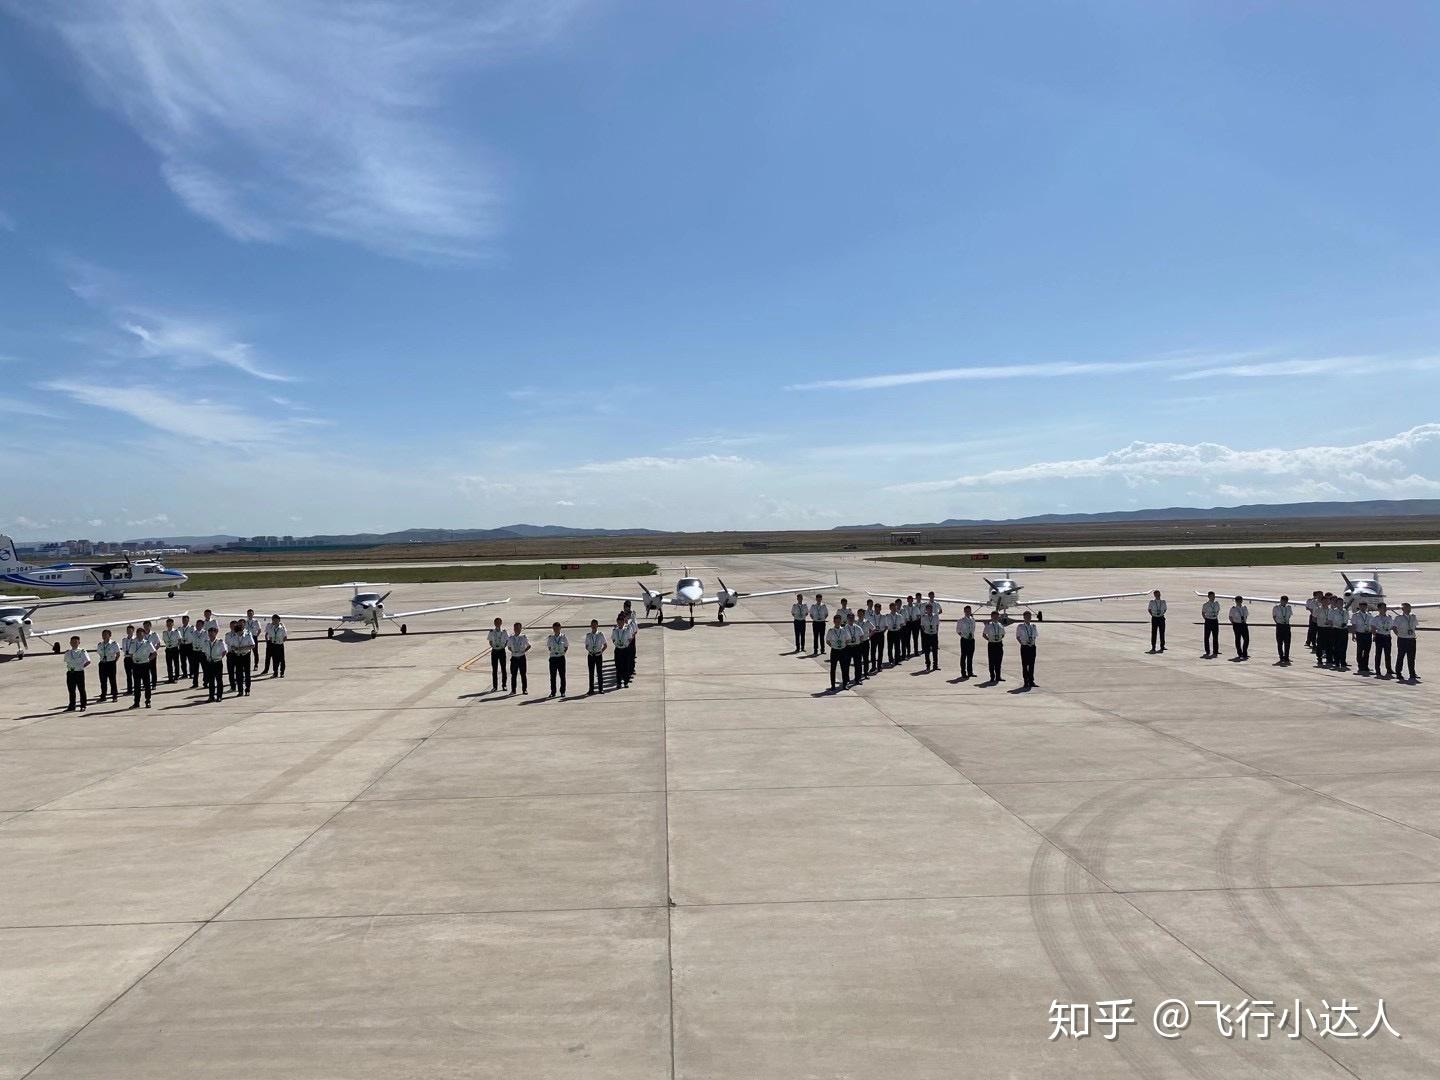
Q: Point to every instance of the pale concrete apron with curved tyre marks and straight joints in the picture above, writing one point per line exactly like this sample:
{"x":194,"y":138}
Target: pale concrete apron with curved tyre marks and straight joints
{"x":379,"y":869}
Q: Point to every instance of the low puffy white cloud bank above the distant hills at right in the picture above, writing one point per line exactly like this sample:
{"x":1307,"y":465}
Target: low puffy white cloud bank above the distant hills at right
{"x":1380,"y":466}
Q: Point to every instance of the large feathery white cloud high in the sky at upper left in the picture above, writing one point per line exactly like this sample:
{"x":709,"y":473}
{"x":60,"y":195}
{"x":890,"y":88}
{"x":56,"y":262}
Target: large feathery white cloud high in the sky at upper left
{"x":282,"y":117}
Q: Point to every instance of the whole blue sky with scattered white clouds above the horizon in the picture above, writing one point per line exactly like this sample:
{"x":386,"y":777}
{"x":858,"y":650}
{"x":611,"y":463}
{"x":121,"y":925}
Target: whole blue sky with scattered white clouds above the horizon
{"x":310,"y":267}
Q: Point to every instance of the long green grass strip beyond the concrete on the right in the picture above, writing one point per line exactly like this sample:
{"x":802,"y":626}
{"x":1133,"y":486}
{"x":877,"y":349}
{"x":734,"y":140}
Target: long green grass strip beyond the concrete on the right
{"x":1359,"y":558}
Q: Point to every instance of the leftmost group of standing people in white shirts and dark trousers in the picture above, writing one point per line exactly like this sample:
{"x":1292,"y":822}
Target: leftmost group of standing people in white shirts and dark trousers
{"x":192,"y":652}
